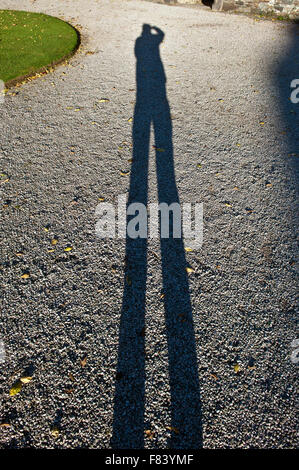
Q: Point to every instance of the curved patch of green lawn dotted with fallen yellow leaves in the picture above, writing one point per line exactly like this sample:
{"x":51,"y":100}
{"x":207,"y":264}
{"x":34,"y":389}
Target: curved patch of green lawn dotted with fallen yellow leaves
{"x":31,"y":41}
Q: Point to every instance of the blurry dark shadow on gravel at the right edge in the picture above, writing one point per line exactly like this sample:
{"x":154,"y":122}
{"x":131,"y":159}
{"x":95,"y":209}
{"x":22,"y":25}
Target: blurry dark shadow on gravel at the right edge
{"x":284,"y":73}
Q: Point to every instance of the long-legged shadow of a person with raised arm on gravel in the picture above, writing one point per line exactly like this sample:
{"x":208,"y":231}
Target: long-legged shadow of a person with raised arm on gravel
{"x":152,"y":108}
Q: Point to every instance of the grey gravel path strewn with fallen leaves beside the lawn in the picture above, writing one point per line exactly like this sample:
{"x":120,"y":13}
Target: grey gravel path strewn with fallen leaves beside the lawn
{"x":234,"y":143}
